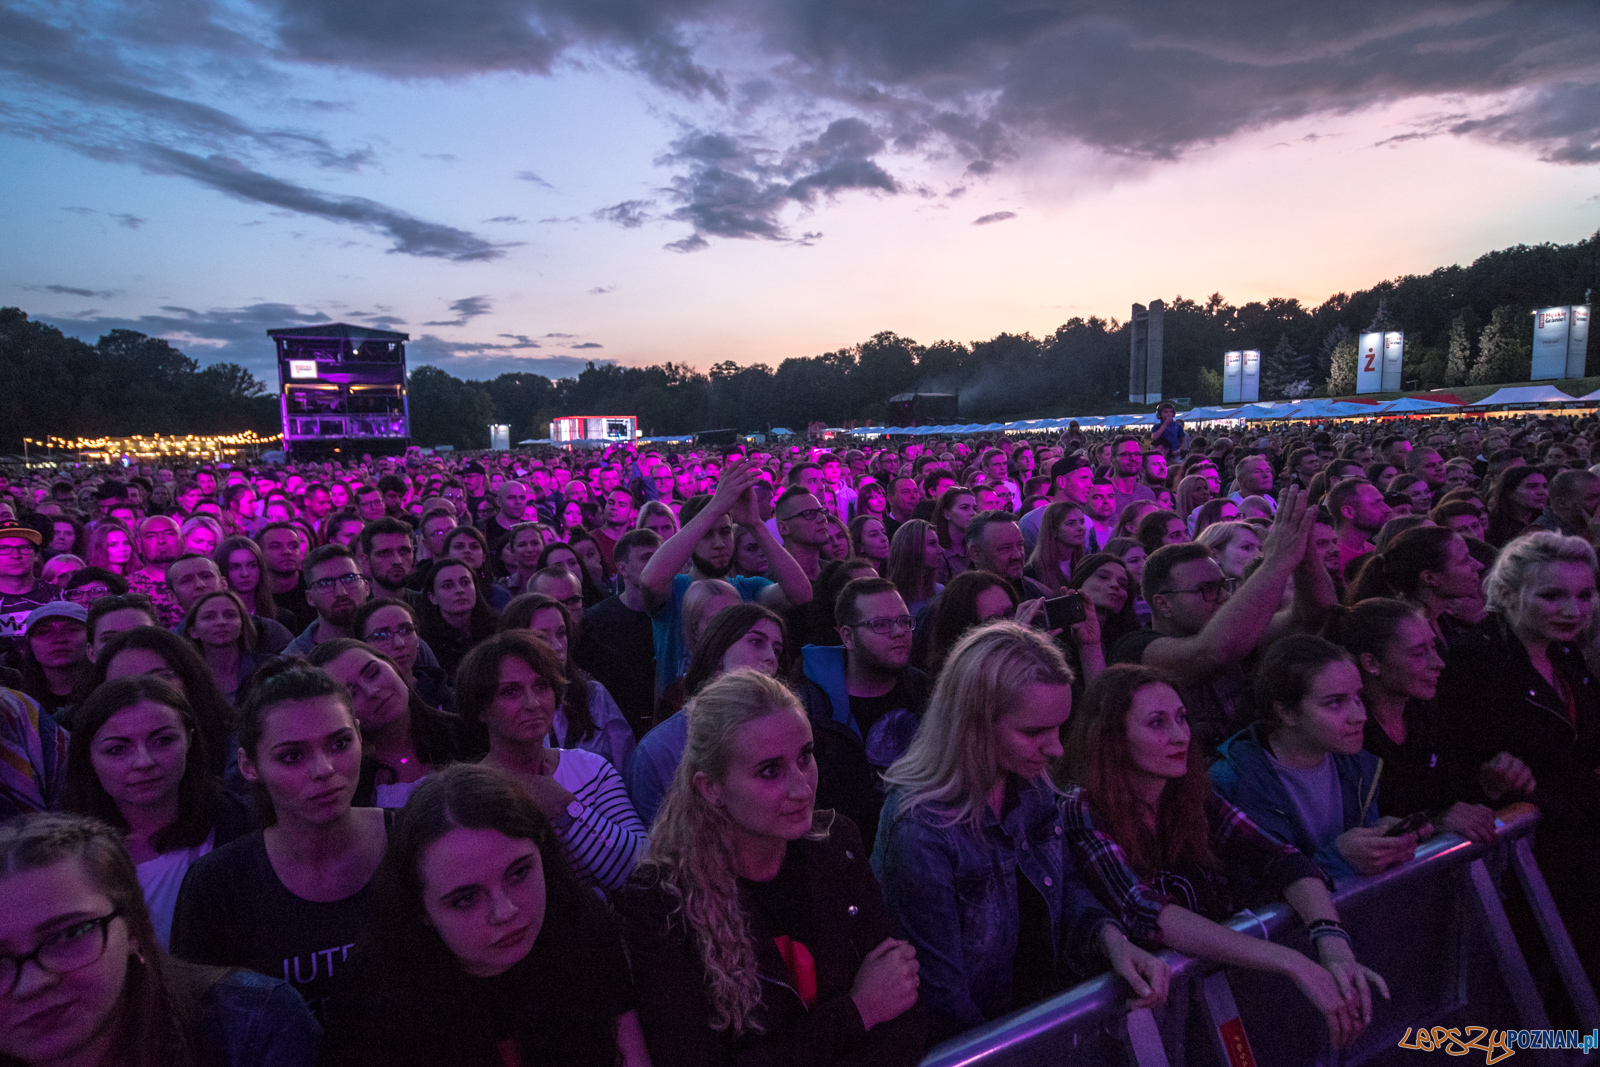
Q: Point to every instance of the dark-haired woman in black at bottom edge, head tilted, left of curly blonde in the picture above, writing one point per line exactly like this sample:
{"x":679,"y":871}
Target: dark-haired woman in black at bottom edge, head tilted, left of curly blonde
{"x":484,"y":948}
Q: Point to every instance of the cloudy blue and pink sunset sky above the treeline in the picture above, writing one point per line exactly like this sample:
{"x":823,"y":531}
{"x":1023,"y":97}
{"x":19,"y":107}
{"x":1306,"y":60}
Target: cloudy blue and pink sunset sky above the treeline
{"x":532,"y":185}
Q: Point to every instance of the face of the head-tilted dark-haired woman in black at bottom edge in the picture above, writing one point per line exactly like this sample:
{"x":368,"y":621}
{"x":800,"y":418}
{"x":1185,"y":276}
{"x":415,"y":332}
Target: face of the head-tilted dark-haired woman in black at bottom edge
{"x":484,"y":893}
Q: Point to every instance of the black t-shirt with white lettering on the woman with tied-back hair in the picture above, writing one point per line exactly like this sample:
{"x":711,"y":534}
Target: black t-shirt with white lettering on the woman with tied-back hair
{"x":234,"y":911}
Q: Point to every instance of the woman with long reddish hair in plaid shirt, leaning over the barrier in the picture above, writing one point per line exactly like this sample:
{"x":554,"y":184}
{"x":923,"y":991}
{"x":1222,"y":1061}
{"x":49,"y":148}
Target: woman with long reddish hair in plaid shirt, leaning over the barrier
{"x":1158,"y":844}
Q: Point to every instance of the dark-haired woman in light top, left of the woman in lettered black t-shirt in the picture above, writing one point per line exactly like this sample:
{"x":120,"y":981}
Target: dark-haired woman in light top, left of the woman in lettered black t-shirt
{"x":138,"y":764}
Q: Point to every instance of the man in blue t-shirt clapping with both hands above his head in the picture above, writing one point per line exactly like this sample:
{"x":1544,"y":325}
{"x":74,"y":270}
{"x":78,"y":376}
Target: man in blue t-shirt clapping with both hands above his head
{"x":706,"y":540}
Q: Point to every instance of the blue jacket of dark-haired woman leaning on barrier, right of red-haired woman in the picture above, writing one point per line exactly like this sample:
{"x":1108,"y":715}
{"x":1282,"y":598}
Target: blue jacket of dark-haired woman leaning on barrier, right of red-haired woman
{"x":1246,"y":778}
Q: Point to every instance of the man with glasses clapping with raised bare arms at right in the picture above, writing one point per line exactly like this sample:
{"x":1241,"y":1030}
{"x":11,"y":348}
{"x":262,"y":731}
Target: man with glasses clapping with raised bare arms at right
{"x":1204,"y":629}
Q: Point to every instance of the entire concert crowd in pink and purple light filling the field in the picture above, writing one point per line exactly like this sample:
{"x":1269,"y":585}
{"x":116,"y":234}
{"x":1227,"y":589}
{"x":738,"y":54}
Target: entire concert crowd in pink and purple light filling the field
{"x":732,"y":757}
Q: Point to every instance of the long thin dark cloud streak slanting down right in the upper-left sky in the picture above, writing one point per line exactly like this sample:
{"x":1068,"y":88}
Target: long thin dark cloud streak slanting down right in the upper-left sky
{"x":410,"y":234}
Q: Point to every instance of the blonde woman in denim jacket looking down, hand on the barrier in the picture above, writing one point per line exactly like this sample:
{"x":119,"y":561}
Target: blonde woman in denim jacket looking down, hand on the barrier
{"x":970,"y":845}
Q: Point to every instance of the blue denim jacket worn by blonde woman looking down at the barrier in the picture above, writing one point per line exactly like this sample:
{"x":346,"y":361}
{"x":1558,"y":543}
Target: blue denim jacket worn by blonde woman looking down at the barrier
{"x":954,"y":892}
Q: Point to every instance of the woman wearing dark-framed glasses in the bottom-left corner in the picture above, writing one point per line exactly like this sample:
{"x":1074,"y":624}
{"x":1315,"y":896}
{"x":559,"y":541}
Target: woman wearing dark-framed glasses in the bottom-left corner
{"x":76,"y":911}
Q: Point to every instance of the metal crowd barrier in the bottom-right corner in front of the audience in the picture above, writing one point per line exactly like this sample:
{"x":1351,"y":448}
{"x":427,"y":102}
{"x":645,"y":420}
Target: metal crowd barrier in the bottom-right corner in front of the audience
{"x":1436,"y":929}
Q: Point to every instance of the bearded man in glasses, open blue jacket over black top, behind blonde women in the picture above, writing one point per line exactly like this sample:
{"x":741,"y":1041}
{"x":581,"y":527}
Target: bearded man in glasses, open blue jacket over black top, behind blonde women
{"x":865,"y":698}
